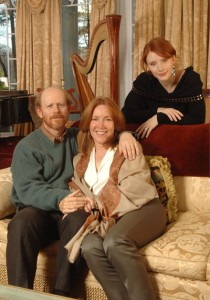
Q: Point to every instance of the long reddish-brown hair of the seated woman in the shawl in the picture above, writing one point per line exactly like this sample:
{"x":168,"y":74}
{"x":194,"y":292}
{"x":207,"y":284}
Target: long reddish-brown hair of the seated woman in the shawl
{"x":85,"y":140}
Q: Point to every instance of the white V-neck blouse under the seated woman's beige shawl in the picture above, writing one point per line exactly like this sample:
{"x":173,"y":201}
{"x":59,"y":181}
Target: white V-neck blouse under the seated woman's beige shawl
{"x":96,"y":180}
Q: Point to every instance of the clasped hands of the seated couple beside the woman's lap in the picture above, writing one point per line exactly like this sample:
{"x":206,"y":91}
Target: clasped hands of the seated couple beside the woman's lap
{"x":76,"y":201}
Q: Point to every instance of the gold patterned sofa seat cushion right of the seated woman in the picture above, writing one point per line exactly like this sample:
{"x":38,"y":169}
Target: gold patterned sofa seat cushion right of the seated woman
{"x":184,"y":249}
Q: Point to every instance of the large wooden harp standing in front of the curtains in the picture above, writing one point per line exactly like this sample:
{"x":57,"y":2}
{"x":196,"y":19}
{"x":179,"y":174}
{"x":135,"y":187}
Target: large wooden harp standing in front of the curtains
{"x":105,"y":30}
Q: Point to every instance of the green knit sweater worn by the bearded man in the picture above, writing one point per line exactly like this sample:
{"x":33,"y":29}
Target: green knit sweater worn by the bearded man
{"x":42,"y":169}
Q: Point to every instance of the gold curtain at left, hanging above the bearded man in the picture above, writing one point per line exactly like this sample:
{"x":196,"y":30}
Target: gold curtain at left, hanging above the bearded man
{"x":38,"y":46}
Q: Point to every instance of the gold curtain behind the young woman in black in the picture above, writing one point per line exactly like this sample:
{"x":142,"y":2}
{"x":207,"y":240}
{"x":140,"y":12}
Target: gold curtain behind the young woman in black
{"x":184,"y":22}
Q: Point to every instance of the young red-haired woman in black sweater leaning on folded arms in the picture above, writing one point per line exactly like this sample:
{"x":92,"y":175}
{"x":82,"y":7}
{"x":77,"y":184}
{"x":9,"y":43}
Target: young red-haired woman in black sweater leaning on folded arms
{"x":164,"y":94}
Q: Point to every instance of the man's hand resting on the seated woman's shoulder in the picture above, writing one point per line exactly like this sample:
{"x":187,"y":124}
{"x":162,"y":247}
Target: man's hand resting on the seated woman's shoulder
{"x":128,"y":145}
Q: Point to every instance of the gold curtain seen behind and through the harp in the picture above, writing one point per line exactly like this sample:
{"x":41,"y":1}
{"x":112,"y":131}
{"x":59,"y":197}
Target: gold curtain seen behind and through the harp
{"x":99,"y":10}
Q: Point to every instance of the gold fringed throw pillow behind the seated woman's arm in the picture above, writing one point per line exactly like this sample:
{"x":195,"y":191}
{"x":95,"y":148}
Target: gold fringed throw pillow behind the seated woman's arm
{"x":163,"y":179}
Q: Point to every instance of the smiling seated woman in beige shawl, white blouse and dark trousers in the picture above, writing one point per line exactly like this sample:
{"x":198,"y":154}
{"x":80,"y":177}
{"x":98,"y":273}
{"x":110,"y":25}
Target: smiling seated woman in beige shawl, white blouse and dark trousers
{"x":126,"y":212}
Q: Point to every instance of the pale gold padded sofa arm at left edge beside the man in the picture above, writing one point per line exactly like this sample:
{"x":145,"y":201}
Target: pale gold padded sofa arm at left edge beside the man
{"x":6,"y":206}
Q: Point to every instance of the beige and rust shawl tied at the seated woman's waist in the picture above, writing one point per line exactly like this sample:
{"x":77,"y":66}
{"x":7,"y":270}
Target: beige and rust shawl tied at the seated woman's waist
{"x":129,"y":187}
